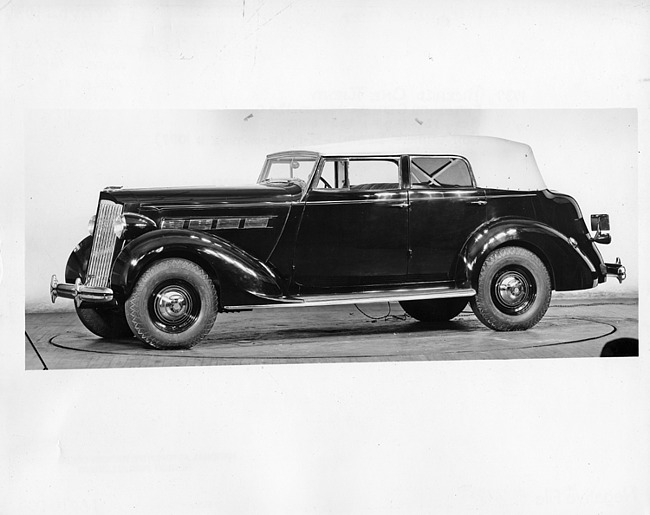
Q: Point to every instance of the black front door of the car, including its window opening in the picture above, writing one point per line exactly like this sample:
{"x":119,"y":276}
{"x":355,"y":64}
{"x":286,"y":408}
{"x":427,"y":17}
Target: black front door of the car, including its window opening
{"x":354,"y":230}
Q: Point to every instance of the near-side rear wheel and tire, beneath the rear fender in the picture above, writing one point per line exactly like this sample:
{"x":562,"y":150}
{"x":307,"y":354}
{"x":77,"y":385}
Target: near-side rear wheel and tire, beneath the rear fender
{"x":513,"y":290}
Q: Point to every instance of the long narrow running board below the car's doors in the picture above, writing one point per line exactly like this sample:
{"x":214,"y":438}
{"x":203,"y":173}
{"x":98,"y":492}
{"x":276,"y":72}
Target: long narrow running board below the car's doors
{"x":366,"y":297}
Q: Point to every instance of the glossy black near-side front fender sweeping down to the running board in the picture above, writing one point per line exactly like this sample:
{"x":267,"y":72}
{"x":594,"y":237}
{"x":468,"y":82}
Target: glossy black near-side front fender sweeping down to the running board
{"x":235,"y":271}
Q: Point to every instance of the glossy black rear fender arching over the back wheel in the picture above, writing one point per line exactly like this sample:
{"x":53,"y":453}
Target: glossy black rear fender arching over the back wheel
{"x":568,"y":266}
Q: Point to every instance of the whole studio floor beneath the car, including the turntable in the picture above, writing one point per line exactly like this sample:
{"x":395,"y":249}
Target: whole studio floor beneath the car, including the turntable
{"x":573,"y":327}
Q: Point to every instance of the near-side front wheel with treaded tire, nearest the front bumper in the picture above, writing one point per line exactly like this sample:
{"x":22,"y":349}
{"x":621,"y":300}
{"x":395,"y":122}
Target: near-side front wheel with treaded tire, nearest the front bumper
{"x":173,"y":305}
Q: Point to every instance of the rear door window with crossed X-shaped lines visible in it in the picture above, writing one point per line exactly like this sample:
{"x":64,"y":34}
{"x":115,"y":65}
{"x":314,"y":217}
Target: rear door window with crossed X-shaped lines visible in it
{"x":439,"y":172}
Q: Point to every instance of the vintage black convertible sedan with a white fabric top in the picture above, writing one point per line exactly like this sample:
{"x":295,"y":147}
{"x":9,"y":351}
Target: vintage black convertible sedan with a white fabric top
{"x":432,"y":224}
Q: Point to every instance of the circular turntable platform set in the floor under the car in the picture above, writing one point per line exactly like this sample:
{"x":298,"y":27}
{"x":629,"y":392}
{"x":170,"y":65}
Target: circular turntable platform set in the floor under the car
{"x":342,"y":334}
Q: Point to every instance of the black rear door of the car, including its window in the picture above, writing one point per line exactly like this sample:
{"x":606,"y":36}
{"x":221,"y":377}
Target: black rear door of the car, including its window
{"x":445,"y":209}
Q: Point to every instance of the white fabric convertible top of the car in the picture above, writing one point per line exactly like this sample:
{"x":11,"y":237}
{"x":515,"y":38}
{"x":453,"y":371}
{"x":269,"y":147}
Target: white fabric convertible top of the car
{"x":496,"y":163}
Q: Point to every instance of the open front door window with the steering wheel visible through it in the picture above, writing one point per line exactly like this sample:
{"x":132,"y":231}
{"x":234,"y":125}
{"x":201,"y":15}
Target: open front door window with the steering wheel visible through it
{"x":359,"y":174}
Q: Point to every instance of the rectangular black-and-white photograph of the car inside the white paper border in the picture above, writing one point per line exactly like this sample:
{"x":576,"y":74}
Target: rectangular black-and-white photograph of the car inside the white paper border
{"x":398,"y":242}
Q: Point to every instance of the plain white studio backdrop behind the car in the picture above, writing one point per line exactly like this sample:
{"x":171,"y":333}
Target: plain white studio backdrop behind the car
{"x":72,"y":154}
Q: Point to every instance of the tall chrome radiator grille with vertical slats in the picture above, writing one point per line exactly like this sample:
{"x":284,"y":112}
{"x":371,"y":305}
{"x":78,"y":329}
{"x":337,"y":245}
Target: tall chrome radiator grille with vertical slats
{"x":101,"y":256}
